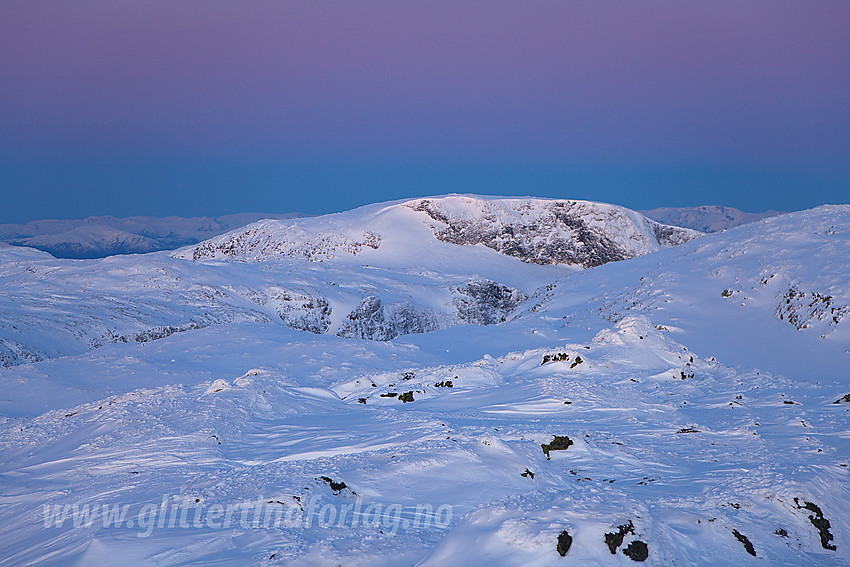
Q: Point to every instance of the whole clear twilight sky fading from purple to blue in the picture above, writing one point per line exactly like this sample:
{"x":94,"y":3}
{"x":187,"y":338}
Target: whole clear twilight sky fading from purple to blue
{"x":208,"y":107}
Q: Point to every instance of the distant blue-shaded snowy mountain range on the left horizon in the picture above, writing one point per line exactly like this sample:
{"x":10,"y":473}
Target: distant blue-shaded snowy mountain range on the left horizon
{"x":98,"y":237}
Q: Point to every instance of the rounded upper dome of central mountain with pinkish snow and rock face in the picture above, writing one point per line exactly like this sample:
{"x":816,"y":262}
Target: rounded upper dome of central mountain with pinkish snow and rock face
{"x":537,"y":231}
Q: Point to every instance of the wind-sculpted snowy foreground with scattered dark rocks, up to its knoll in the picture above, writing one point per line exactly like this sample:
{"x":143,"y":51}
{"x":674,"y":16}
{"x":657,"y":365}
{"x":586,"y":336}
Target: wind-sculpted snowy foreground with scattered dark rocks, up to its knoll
{"x":288,"y":429}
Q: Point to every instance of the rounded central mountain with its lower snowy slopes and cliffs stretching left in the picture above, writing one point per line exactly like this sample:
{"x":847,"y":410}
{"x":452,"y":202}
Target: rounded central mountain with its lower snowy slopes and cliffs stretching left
{"x":386,"y":270}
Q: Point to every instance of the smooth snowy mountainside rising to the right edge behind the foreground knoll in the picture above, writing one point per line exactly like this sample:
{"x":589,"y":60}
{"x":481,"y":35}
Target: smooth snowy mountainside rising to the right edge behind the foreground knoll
{"x":782,"y":283}
